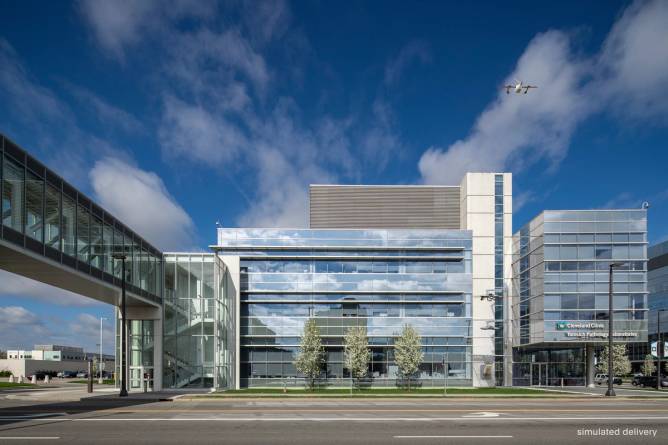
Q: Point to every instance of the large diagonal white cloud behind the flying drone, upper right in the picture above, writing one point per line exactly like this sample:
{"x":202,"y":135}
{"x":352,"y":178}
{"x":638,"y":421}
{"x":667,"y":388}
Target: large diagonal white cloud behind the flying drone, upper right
{"x":630,"y":74}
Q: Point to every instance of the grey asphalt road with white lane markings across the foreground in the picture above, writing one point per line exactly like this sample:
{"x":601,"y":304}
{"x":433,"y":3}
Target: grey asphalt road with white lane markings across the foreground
{"x":262,"y":421}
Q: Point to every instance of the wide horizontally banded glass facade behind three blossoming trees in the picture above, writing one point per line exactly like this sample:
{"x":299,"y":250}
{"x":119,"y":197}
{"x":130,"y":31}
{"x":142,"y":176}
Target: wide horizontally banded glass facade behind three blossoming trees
{"x":377,"y":279}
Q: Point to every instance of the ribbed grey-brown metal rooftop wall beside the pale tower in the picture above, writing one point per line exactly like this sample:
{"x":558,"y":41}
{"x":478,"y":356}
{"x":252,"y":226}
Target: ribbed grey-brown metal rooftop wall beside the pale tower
{"x":384,"y":207}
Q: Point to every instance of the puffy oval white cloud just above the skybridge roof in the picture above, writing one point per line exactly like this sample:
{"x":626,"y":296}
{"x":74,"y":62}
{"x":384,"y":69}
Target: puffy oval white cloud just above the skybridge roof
{"x":141,"y":200}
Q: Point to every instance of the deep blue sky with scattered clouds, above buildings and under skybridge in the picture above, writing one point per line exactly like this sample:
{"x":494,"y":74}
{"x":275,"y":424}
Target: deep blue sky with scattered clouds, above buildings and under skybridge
{"x":175,"y":118}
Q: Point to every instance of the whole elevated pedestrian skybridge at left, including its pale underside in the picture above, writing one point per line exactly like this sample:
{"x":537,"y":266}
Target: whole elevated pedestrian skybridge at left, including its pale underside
{"x":53,"y":233}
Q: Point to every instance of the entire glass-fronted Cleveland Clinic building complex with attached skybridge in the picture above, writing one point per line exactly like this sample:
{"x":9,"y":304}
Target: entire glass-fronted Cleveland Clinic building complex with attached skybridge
{"x":497,"y":309}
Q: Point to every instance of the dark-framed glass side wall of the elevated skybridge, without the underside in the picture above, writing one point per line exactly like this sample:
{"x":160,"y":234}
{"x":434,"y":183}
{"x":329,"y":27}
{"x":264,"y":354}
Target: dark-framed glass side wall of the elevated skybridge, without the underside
{"x":44,"y":214}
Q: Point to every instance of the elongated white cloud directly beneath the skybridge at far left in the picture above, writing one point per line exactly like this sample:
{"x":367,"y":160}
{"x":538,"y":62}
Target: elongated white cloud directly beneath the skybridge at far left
{"x":18,"y":286}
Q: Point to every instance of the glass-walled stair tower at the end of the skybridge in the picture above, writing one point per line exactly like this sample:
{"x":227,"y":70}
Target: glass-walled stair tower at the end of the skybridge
{"x":197,"y":323}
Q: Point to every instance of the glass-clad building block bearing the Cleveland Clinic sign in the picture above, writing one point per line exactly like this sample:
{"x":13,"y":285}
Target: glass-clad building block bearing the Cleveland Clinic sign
{"x":560,"y":272}
